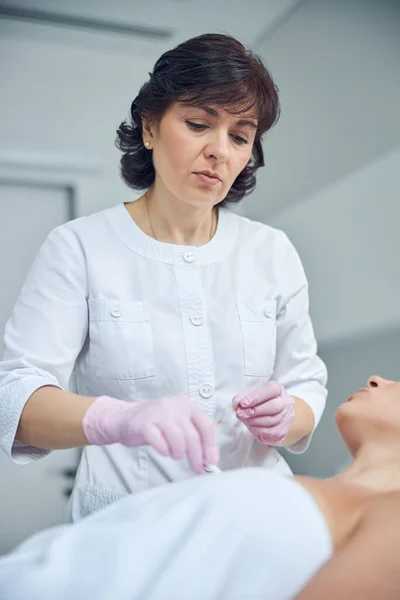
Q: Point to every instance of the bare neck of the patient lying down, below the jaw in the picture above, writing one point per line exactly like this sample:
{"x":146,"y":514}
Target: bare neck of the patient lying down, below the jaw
{"x":375,"y":469}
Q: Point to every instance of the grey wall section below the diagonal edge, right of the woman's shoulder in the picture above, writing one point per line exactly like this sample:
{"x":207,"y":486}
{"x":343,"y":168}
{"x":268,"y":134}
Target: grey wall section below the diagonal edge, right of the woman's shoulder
{"x":348,"y":238}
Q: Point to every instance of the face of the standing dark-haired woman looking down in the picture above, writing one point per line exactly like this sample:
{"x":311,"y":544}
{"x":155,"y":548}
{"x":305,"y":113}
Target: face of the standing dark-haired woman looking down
{"x":199,"y":151}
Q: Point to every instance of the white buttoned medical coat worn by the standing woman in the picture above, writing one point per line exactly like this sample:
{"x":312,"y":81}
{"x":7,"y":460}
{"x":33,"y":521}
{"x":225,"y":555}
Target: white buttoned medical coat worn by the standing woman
{"x":138,"y":319}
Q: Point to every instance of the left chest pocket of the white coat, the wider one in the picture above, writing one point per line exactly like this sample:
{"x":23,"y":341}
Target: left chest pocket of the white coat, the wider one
{"x":120,"y":339}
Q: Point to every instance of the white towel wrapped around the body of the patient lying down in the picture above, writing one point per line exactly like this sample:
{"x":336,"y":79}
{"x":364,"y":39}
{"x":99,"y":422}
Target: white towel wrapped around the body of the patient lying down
{"x":243,"y":535}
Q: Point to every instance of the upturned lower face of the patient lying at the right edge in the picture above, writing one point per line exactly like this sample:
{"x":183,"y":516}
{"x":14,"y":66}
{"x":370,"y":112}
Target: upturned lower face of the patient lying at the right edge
{"x":371,"y":413}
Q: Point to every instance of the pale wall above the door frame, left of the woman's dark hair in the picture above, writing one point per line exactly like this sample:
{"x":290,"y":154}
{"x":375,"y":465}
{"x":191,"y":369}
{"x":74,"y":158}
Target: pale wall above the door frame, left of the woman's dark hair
{"x":66,"y":101}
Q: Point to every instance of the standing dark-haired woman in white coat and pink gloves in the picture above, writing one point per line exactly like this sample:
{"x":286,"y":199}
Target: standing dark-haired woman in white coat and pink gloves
{"x":187,"y":325}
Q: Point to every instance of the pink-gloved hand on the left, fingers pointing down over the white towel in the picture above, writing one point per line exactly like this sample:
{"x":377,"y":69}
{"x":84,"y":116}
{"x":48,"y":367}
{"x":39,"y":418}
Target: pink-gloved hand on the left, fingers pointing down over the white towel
{"x":174,"y":426}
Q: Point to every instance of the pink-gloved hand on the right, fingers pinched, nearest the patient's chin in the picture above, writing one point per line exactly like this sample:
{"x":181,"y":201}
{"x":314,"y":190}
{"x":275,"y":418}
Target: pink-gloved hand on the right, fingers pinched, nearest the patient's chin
{"x":267,"y":412}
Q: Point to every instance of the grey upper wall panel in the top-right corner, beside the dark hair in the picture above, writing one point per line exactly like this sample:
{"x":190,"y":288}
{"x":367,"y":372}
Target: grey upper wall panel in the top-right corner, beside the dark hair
{"x":336,"y":63}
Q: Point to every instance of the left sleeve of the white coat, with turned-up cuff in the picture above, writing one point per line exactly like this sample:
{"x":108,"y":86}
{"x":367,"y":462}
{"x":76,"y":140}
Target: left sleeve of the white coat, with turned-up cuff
{"x":44,"y":335}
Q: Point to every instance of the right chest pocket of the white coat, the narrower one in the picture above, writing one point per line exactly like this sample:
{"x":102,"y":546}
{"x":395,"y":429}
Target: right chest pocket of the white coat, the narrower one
{"x":258,"y":324}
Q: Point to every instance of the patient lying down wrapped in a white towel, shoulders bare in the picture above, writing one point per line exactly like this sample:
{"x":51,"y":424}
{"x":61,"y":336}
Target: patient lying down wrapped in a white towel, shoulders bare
{"x":241,"y":534}
